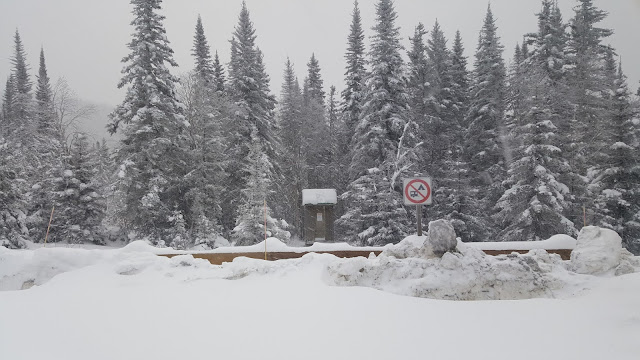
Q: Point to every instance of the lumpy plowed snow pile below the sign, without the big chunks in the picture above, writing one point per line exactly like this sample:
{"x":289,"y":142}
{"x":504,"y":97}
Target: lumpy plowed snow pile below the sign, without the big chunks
{"x":468,"y":274}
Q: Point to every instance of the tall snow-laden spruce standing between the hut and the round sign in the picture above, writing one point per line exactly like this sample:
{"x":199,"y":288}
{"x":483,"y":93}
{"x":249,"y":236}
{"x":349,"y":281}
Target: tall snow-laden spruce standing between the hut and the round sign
{"x":378,"y":216}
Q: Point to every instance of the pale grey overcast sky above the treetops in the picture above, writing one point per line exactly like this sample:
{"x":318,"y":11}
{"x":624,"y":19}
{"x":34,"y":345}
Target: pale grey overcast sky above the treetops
{"x":85,"y":40}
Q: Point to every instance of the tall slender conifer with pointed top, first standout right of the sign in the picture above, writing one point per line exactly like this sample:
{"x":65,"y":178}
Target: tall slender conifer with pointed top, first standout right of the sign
{"x":485,"y":119}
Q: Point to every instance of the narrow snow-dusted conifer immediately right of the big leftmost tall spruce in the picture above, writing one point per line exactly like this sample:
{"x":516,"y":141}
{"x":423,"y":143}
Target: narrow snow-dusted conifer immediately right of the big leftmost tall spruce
{"x":207,"y":111}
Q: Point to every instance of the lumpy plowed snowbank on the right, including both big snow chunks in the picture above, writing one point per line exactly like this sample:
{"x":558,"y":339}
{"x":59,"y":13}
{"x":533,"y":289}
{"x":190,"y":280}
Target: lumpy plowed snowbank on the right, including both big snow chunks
{"x":413,"y":268}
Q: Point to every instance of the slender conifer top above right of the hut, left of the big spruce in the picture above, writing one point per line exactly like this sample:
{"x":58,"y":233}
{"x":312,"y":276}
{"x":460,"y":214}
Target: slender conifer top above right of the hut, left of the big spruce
{"x":352,"y":95}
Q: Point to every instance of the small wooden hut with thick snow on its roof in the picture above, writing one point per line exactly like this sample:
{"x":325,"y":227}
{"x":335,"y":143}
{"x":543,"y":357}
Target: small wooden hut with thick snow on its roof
{"x":319,"y":214}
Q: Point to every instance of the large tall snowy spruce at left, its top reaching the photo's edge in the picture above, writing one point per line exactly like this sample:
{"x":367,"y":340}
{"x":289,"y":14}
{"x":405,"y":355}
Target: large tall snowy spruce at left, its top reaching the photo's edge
{"x":151,"y":121}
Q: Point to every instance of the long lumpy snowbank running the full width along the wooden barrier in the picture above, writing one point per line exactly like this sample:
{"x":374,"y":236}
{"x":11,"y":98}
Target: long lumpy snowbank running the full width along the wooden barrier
{"x":431,"y":266}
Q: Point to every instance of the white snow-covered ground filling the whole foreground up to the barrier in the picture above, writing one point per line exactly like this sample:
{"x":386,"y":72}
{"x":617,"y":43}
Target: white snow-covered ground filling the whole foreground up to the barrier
{"x":131,"y":304}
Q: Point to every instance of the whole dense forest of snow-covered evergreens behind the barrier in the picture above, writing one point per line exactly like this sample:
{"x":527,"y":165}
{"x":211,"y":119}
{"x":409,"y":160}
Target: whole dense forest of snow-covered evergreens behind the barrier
{"x":519,"y":149}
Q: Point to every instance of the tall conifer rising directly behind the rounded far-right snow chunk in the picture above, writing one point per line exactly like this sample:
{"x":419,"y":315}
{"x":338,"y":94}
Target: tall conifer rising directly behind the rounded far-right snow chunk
{"x":588,"y":89}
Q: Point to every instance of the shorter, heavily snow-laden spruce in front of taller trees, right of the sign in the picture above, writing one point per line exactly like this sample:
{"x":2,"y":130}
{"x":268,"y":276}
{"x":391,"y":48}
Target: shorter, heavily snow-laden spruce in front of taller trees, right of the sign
{"x":532,"y":207}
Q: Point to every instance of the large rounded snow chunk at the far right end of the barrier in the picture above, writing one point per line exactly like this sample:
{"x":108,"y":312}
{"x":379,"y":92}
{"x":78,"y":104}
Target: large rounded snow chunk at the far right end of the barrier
{"x":597,"y":251}
